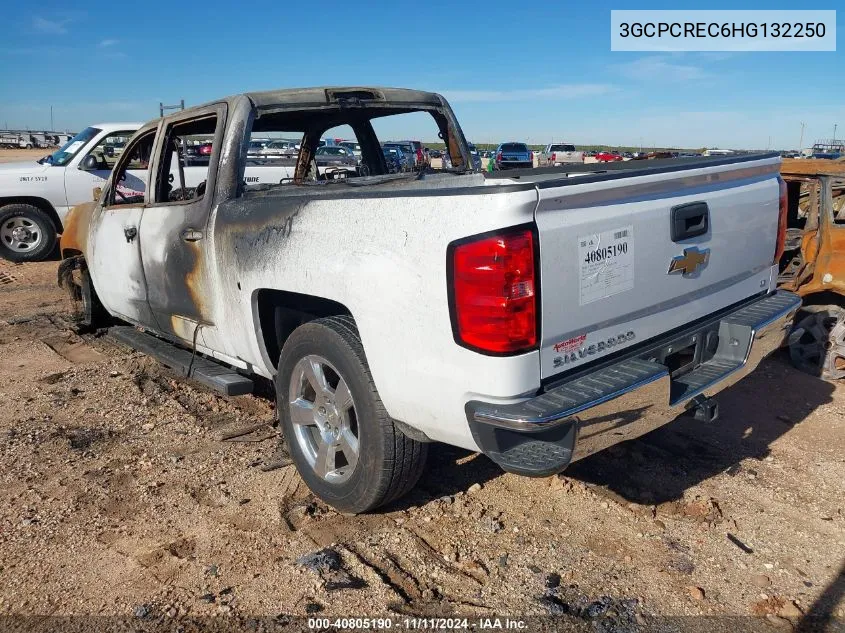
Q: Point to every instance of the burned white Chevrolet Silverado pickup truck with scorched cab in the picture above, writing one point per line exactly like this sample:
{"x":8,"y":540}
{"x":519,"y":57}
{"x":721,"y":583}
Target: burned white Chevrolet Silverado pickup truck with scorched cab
{"x":535,"y":315}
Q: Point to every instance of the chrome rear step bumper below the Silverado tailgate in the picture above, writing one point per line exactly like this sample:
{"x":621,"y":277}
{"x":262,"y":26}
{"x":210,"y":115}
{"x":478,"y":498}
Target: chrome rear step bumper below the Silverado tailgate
{"x":624,"y":400}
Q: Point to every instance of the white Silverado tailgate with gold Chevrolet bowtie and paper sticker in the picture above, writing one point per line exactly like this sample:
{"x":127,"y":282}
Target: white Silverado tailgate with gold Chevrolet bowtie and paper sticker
{"x":611,"y":274}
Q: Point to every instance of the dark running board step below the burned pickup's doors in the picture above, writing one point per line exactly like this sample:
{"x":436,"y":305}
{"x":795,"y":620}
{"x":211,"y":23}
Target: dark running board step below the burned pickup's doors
{"x":219,"y":377}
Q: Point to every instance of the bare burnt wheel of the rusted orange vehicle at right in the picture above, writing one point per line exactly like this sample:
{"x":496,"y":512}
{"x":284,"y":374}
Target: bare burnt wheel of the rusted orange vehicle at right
{"x":821,"y":348}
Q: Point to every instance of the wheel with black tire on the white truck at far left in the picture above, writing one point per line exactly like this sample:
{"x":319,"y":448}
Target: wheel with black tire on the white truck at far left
{"x":27,"y":234}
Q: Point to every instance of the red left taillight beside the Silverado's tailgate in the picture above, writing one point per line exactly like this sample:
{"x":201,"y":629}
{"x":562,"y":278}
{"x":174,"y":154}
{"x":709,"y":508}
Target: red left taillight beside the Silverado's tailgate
{"x":495,"y":293}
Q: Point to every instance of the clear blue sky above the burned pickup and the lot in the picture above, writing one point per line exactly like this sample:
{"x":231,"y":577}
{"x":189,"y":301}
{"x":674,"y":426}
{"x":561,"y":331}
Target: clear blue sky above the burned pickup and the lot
{"x":535,"y":71}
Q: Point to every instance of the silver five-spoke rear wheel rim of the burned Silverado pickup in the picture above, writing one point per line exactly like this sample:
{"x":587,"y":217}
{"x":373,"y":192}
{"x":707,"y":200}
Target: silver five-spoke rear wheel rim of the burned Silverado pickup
{"x":324,"y":418}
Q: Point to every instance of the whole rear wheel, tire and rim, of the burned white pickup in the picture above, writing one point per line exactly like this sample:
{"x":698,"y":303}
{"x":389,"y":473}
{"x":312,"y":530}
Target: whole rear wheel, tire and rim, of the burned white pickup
{"x":344,"y":444}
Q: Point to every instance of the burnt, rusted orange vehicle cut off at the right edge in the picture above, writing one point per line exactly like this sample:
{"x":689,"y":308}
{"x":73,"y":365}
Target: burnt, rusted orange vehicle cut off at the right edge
{"x":813,"y":264}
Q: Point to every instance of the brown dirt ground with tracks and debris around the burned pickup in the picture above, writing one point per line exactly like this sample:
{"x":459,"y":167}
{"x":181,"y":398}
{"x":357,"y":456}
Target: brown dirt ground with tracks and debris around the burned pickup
{"x":118,"y":496}
